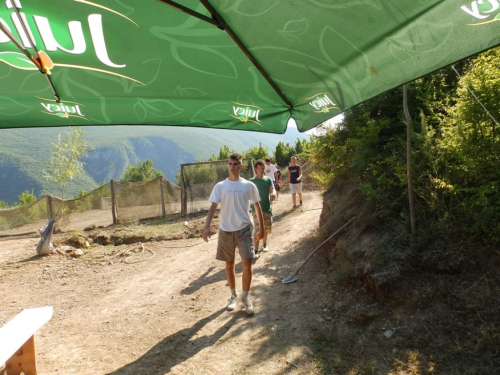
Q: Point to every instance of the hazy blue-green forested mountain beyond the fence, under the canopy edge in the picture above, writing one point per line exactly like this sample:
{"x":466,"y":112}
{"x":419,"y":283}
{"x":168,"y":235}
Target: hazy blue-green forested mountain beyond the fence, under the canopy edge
{"x":24,"y":153}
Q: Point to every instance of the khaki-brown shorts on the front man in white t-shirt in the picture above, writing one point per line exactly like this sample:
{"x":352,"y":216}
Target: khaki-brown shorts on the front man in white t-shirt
{"x":228,"y":241}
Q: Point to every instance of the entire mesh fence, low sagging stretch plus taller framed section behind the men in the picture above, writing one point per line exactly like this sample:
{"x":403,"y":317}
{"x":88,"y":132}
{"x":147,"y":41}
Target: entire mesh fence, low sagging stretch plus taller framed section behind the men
{"x":118,"y":203}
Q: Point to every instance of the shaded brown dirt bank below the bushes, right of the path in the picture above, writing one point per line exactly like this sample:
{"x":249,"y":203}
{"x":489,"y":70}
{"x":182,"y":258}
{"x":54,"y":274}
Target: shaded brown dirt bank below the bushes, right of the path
{"x":401,"y":313}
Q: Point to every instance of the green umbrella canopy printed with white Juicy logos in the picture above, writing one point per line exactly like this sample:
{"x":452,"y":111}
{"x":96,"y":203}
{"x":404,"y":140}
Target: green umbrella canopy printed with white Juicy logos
{"x":231,"y":64}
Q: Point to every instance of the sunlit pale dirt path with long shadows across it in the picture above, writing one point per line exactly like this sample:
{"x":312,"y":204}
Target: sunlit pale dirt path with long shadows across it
{"x":166,"y":315}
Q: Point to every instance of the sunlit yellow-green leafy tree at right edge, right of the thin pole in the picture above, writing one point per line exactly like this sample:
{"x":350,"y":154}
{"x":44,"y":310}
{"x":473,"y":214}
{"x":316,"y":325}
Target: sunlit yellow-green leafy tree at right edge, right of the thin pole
{"x":469,"y":150}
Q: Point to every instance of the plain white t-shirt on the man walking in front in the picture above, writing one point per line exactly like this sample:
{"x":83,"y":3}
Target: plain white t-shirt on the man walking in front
{"x":235,"y":198}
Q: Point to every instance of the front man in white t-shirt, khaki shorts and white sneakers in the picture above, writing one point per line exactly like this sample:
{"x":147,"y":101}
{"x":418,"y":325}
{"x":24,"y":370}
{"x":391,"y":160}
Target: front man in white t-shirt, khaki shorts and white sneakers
{"x":235,"y":195}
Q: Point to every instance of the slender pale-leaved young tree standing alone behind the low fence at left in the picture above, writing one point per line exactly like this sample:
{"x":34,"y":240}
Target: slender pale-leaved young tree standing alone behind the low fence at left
{"x":65,"y":161}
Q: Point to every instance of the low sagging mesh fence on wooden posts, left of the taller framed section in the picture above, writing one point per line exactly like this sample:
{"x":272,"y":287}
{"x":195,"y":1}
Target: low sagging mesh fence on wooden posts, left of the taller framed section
{"x":113,"y":203}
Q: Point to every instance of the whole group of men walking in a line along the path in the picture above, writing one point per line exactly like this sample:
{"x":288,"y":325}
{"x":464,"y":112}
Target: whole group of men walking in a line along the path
{"x":238,"y":197}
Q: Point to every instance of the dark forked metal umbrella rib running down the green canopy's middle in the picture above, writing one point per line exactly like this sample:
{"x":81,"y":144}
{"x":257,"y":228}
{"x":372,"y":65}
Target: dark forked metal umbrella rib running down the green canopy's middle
{"x":218,"y":21}
